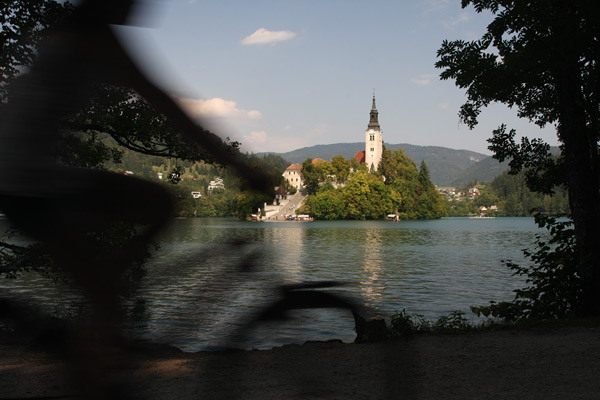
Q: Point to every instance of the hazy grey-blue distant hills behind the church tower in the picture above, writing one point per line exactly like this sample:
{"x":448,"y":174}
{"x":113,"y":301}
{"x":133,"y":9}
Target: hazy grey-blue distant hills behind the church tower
{"x":446,"y":166}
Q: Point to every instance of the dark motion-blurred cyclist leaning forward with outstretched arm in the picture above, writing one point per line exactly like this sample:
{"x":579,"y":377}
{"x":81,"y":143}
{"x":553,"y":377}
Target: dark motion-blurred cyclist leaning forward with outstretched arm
{"x":64,"y":207}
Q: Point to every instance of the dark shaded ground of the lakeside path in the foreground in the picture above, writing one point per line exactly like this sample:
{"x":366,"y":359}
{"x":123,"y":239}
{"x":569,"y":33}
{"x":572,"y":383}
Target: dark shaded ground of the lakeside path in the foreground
{"x":550,"y":363}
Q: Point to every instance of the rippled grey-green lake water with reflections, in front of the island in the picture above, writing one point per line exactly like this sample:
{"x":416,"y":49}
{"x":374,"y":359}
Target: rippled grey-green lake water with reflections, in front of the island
{"x":211,"y":276}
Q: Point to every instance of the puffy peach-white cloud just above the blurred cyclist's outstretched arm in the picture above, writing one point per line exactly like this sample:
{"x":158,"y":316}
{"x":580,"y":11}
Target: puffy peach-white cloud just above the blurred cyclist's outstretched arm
{"x":216,"y":107}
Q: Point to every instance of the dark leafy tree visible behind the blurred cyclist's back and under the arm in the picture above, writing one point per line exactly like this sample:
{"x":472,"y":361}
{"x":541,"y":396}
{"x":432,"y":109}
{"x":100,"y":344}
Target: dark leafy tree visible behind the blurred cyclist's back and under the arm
{"x":116,"y":111}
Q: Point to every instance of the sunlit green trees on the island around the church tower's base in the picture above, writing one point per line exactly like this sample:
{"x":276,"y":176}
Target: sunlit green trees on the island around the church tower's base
{"x":361,"y":194}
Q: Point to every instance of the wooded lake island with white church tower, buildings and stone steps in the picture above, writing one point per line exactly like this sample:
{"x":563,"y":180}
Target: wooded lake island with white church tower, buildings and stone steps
{"x":375,"y":184}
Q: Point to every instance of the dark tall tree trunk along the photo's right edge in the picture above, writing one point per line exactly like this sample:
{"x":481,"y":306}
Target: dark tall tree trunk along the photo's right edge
{"x":580,"y":151}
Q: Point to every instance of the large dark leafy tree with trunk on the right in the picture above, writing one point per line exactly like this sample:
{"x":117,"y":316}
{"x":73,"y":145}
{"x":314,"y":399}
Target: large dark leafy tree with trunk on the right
{"x":541,"y":57}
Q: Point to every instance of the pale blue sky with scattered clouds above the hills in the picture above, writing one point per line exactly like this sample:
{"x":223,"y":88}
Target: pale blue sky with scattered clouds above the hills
{"x":279,"y":75}
